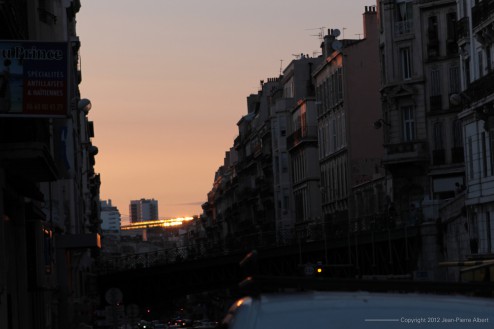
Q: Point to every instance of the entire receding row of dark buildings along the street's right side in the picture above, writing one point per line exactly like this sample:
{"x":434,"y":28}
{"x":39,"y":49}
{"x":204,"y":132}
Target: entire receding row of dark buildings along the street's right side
{"x":403,"y":124}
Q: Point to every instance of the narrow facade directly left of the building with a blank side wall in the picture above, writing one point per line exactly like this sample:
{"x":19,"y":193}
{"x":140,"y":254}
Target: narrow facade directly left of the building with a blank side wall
{"x":301,"y":184}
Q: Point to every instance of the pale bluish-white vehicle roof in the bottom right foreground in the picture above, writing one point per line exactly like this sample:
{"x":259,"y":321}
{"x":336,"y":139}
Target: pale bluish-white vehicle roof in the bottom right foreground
{"x":349,"y":310}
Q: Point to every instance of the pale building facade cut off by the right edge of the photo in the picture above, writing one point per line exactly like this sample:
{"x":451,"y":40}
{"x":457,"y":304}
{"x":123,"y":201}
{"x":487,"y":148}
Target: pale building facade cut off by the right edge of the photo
{"x":475,"y":100}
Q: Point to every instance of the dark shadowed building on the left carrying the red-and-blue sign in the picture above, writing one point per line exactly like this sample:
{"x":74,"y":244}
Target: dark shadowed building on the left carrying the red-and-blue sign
{"x":49,"y":191}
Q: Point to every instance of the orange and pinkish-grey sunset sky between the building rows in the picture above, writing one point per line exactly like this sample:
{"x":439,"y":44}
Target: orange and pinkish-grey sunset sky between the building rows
{"x":168,"y":81}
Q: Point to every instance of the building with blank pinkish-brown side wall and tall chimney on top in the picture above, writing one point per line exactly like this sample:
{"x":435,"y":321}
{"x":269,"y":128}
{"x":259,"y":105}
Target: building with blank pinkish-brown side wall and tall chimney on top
{"x":347,"y":93}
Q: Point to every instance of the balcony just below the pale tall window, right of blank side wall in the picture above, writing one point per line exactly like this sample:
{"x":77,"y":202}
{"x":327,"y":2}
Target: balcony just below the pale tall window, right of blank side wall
{"x":405,"y":152}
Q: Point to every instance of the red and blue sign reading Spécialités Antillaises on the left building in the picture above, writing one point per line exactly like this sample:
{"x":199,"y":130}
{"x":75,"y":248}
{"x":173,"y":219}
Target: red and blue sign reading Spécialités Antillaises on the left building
{"x":33,"y":78}
